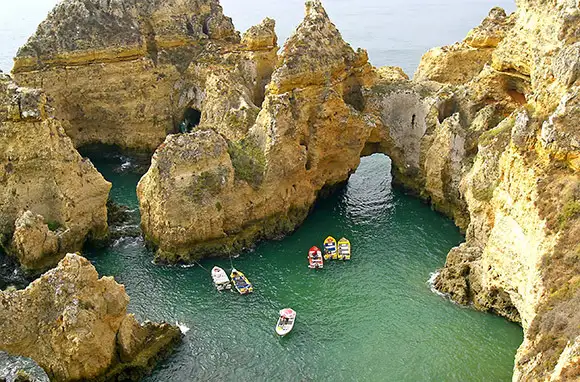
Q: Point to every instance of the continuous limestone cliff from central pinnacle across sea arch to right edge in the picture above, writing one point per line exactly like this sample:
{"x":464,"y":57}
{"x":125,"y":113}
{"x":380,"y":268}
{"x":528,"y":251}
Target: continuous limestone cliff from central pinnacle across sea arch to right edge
{"x":487,"y":132}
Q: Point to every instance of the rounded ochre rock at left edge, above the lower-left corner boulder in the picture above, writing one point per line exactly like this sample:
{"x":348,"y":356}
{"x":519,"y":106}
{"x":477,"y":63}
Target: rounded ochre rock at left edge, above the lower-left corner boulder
{"x":51,"y":199}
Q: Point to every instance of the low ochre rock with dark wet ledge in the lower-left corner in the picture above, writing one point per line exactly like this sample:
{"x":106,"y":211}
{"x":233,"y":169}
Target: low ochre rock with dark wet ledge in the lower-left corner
{"x":76,"y":326}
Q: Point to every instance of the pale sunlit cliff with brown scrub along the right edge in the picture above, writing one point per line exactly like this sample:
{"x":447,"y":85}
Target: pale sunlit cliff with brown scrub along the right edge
{"x":522,"y":189}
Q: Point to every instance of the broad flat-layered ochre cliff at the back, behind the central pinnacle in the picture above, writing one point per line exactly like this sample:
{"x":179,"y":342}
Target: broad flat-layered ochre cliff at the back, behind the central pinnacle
{"x":129,"y":73}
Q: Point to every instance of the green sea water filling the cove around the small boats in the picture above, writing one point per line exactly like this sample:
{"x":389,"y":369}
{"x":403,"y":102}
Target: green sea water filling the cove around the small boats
{"x":374,"y":318}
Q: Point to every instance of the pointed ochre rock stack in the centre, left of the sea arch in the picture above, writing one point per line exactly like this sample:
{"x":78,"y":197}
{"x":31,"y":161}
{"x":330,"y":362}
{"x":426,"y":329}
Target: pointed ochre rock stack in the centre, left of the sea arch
{"x":207,"y":194}
